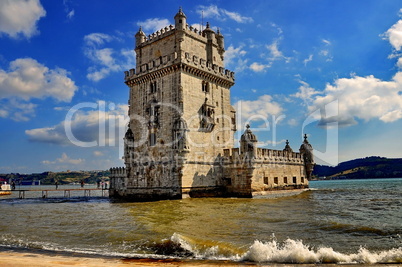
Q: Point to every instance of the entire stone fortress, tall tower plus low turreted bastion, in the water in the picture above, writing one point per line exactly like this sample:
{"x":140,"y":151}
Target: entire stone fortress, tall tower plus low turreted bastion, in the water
{"x":180,"y":137}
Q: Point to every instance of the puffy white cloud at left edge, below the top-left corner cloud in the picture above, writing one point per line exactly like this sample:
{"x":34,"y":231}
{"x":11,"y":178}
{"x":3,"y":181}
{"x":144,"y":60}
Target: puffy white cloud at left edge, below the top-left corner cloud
{"x":27,"y":78}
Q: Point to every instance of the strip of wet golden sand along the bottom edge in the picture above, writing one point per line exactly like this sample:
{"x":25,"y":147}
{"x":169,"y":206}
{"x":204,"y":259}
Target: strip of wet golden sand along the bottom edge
{"x":31,"y":259}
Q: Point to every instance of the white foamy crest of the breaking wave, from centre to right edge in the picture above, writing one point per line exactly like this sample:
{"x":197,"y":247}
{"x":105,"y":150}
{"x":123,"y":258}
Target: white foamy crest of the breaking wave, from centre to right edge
{"x":289,"y":251}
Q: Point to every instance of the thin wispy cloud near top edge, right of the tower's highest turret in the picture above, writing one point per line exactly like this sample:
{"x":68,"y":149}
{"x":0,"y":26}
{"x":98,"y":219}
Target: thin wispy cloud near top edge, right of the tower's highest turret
{"x":213,"y":11}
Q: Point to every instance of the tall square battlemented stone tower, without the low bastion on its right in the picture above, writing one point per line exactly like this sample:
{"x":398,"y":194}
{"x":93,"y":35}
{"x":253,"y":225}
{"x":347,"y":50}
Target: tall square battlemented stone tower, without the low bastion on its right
{"x":180,"y":114}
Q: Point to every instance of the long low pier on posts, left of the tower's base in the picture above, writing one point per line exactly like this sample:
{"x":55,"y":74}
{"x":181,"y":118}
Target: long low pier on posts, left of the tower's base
{"x":45,"y":193}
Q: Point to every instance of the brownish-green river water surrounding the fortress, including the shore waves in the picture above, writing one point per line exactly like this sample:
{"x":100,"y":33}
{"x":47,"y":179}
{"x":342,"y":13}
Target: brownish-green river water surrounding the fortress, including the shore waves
{"x":349,"y":221}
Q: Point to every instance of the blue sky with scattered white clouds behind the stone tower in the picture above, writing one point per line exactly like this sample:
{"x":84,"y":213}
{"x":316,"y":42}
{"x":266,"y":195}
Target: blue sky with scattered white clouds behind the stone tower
{"x":331,"y":69}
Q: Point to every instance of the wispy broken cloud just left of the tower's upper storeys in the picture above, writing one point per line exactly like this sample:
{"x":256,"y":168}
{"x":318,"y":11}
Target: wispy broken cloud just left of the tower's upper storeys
{"x":105,"y":60}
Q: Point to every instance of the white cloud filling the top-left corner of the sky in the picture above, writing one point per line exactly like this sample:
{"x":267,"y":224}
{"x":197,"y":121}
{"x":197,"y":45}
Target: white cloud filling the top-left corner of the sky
{"x":19,"y":17}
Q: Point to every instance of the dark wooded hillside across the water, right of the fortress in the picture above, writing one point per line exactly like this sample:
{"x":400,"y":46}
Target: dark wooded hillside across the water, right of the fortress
{"x":370,"y":167}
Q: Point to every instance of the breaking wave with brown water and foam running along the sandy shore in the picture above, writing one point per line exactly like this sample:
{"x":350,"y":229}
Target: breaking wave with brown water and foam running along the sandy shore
{"x":181,"y":247}
